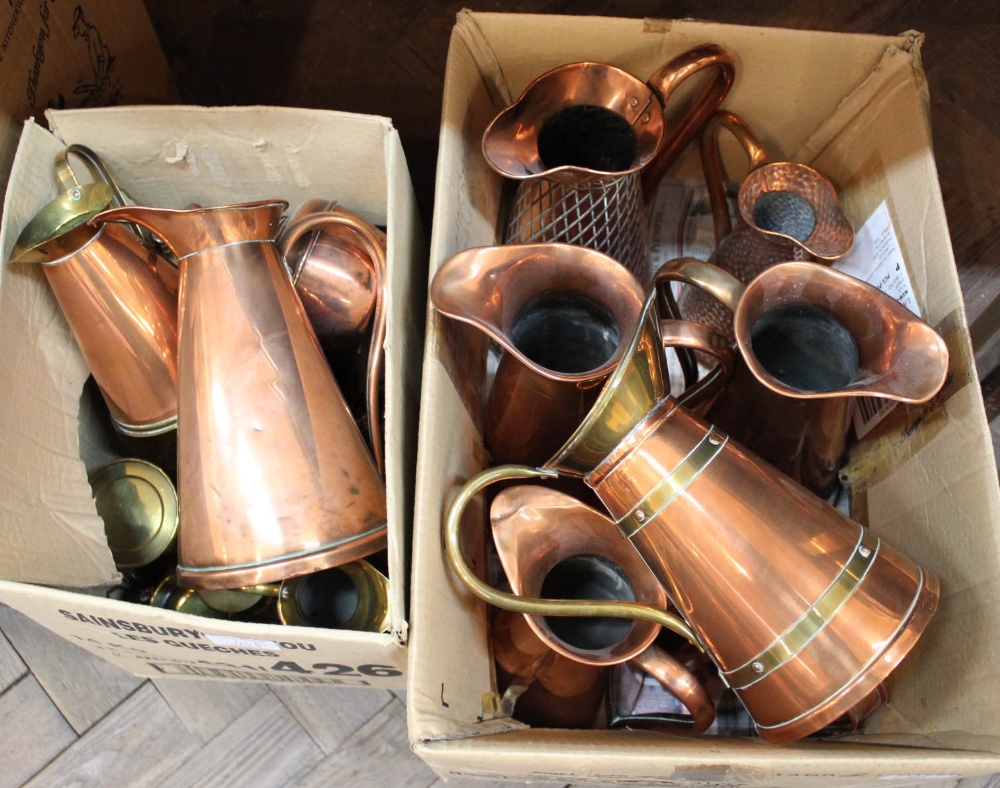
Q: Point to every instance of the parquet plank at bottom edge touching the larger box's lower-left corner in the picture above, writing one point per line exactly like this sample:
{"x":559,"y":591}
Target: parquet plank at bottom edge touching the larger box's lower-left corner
{"x":377,"y":754}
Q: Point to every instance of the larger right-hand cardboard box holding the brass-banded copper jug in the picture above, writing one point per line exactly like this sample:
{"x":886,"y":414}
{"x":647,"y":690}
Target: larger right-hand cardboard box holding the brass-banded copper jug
{"x":855,"y":106}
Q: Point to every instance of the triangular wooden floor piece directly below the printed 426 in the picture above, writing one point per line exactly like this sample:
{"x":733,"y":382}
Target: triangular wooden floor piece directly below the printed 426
{"x":331,"y":714}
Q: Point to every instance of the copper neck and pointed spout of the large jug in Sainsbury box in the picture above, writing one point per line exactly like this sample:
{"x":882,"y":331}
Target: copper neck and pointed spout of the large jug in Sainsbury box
{"x":191,"y":230}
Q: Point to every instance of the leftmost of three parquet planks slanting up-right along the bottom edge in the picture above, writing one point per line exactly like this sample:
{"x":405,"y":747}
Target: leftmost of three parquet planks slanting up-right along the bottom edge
{"x":140,"y":744}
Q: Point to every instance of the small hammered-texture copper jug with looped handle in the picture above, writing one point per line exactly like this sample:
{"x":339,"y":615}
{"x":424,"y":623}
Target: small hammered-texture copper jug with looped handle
{"x":787,"y":211}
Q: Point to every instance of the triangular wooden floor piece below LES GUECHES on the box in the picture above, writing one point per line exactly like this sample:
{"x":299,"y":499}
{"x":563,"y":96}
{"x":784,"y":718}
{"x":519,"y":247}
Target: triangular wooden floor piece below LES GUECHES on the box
{"x":207,"y":707}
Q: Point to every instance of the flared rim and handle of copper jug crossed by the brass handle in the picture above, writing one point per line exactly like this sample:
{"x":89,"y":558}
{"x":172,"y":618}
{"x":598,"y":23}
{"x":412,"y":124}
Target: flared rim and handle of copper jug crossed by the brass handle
{"x":552,"y":546}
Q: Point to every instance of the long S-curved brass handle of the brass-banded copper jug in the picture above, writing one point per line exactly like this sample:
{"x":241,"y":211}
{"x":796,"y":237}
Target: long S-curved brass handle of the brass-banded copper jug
{"x":530,"y":605}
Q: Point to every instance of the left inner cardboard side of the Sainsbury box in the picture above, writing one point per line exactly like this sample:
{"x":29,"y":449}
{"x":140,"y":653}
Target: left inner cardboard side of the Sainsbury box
{"x":47,"y":518}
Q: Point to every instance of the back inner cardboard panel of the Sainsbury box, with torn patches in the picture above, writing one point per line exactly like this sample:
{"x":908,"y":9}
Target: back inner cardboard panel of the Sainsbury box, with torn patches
{"x":227,"y":155}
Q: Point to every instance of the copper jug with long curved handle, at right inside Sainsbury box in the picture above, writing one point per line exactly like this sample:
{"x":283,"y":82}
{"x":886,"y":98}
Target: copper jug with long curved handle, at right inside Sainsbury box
{"x":340,"y":279}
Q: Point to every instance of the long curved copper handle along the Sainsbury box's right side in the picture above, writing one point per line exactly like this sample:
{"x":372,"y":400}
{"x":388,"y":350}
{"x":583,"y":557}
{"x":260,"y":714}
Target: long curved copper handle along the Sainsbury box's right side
{"x":345,"y":223}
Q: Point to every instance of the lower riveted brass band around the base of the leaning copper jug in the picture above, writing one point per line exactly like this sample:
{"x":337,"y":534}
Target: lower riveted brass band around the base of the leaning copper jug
{"x":797,"y":636}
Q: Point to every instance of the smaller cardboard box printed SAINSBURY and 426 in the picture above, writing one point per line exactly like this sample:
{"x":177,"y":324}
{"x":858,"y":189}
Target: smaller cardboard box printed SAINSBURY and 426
{"x":170,"y":157}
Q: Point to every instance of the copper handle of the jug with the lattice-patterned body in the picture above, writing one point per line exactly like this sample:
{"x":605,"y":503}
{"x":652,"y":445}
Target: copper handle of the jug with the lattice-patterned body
{"x":665,"y":81}
